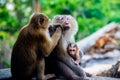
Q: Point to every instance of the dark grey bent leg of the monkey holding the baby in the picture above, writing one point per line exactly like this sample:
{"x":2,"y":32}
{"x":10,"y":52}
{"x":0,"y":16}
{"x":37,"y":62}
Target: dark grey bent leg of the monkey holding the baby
{"x":65,"y":71}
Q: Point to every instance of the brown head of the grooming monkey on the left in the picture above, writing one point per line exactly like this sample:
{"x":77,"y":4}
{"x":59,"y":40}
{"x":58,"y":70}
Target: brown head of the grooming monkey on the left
{"x":39,"y":20}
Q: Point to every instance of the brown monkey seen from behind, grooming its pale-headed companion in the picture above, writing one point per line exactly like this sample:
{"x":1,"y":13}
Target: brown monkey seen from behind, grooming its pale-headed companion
{"x":32,"y":45}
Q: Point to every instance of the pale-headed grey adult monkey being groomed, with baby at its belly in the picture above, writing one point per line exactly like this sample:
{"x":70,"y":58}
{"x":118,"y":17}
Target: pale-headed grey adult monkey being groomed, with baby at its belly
{"x":59,"y":61}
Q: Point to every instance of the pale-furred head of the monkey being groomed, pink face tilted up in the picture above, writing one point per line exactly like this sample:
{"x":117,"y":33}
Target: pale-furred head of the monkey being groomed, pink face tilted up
{"x":68,"y":23}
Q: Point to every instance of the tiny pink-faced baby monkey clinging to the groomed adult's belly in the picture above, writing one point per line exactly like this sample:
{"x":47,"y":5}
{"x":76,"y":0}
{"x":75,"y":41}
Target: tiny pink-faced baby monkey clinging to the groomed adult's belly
{"x":75,"y":53}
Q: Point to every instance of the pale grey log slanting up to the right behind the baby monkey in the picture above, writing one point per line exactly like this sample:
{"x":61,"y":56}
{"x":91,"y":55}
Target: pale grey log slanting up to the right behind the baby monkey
{"x":89,"y":41}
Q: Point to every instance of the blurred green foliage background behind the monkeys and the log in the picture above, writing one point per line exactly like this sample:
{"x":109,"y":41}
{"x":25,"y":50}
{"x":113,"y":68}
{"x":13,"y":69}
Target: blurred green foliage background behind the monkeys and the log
{"x":91,"y":15}
